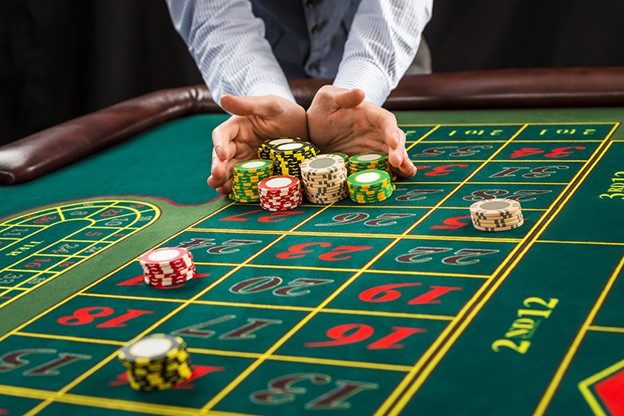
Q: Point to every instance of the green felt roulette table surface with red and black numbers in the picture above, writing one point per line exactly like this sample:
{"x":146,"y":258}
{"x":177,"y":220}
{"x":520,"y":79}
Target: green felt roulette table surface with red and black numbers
{"x":399,"y":307}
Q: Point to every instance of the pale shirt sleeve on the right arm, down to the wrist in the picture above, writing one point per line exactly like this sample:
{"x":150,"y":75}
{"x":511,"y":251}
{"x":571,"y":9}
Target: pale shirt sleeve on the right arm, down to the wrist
{"x":382,"y":43}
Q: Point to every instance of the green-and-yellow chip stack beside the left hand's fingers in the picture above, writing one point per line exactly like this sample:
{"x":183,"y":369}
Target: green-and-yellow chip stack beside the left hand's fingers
{"x":245,"y":178}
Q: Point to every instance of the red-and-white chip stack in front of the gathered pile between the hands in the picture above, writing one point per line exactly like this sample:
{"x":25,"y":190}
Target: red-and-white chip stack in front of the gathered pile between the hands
{"x":280,"y":193}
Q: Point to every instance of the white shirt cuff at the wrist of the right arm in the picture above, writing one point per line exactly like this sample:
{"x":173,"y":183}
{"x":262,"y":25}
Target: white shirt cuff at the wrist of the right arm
{"x":365,"y":76}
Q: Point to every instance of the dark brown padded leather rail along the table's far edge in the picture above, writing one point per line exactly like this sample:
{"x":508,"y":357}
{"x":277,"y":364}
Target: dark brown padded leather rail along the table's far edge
{"x":58,"y":146}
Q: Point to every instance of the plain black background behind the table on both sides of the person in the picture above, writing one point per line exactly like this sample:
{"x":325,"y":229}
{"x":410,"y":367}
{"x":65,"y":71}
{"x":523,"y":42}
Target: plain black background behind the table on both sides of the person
{"x":60,"y":59}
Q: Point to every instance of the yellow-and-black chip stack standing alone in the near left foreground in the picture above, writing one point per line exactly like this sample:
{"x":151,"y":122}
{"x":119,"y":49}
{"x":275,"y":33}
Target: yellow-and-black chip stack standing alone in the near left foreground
{"x":156,"y":362}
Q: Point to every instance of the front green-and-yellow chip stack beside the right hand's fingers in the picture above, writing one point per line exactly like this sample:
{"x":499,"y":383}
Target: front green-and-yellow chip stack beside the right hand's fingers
{"x":369,"y":186}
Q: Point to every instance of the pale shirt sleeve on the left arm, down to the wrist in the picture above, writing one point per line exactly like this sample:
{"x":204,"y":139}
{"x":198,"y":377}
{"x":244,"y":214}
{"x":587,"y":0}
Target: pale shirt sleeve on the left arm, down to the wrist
{"x":227,"y":42}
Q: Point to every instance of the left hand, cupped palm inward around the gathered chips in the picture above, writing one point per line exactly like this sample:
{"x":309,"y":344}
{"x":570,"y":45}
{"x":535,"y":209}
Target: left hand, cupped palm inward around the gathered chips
{"x":253,"y":120}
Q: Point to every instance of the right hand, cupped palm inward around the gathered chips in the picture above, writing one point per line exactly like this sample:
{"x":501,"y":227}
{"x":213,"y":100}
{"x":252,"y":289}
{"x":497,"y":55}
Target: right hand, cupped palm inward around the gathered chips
{"x":339,"y":120}
